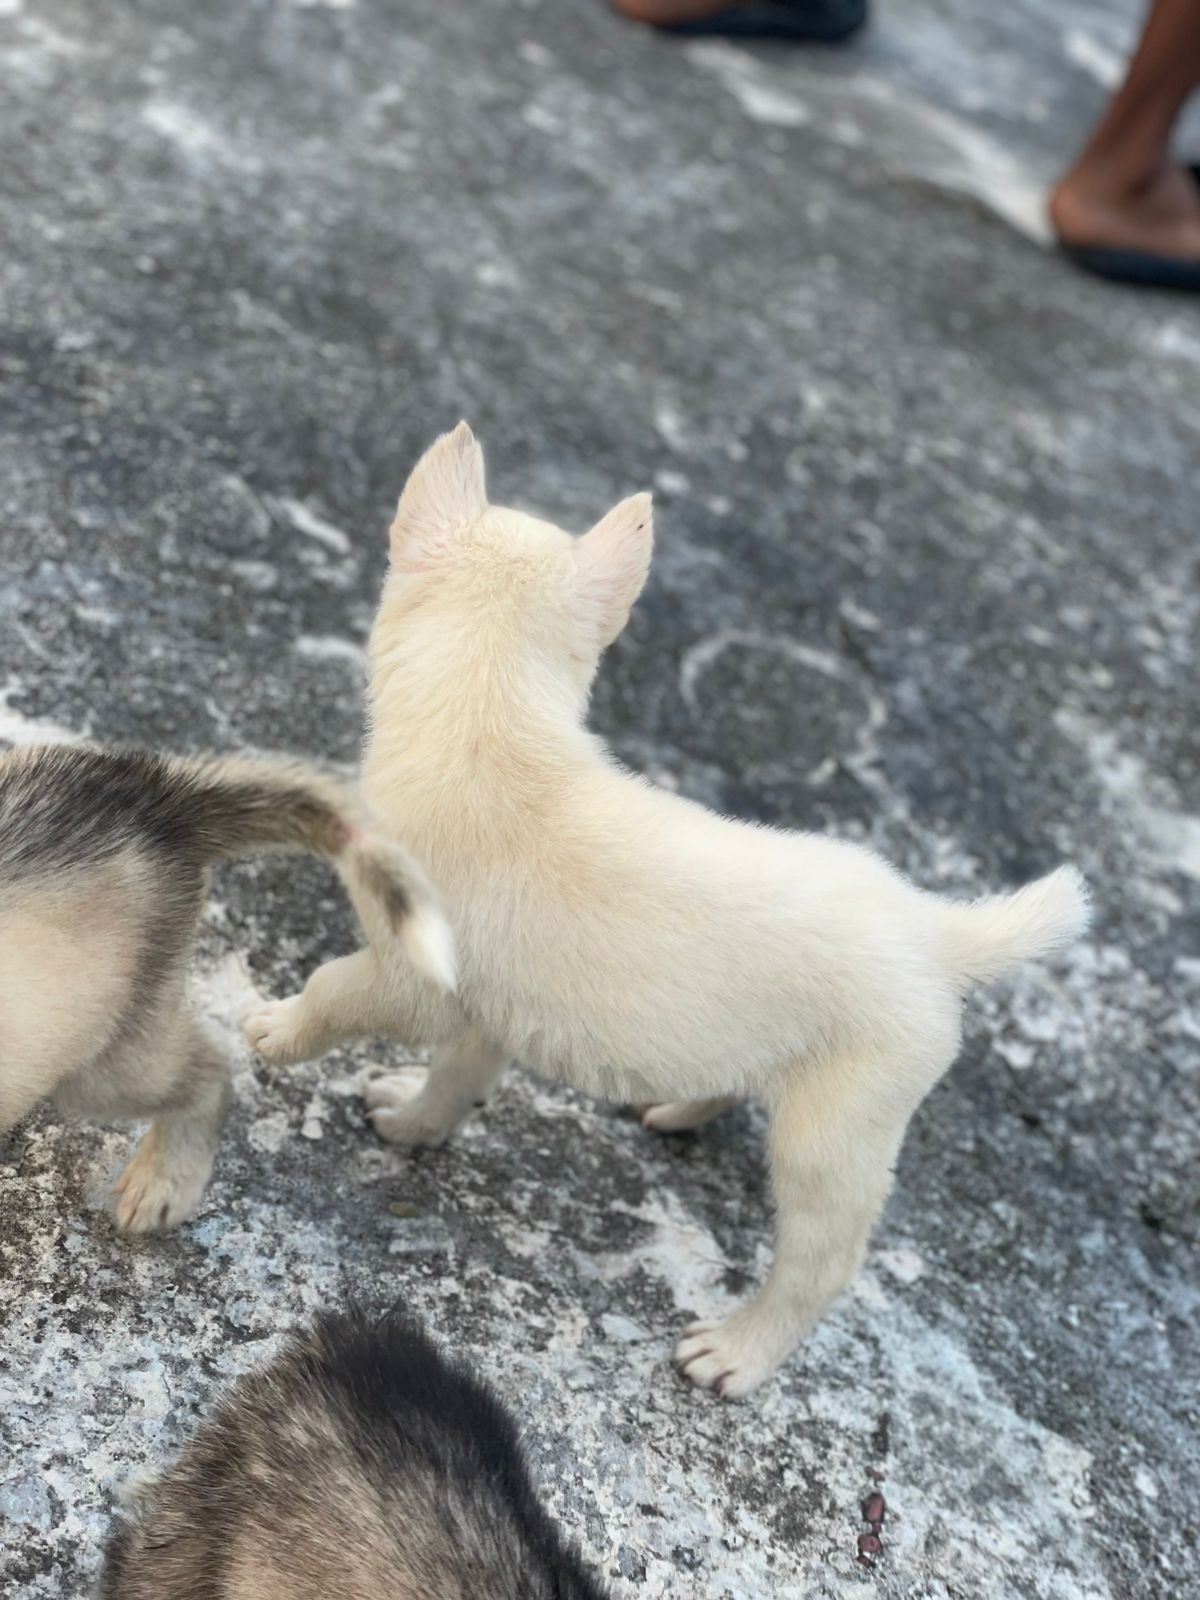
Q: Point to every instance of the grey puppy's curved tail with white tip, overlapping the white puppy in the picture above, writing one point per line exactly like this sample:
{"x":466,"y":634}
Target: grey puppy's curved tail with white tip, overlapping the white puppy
{"x":254,"y":806}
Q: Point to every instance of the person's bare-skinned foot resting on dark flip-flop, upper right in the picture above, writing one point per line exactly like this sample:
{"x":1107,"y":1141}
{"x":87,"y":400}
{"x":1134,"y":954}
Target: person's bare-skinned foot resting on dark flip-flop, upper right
{"x":1097,"y":207}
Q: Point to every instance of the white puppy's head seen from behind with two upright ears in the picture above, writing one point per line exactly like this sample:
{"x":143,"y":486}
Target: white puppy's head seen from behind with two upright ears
{"x":498,"y":586}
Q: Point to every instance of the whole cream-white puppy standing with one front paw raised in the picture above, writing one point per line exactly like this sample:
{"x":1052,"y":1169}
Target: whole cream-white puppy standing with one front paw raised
{"x":620,"y":937}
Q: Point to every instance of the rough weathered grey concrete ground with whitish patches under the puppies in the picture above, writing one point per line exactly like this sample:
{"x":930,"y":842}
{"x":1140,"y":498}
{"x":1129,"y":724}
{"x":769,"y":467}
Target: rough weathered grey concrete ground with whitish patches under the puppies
{"x":927,"y":575}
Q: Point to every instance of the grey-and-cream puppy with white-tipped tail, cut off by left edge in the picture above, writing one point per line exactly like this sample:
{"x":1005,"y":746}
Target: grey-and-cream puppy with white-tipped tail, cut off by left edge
{"x":103,"y":873}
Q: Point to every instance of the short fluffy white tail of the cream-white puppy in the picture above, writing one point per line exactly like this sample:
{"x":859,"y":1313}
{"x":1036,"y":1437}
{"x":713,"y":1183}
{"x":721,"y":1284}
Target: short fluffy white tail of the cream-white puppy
{"x":994,"y":935}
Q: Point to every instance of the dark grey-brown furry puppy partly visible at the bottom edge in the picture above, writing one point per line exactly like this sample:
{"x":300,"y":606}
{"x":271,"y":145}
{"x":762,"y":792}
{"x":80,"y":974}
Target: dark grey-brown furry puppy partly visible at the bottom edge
{"x":358,"y":1465}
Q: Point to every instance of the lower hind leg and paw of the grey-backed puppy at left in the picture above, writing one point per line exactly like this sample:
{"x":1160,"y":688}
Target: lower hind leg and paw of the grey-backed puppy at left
{"x":172,"y":1166}
